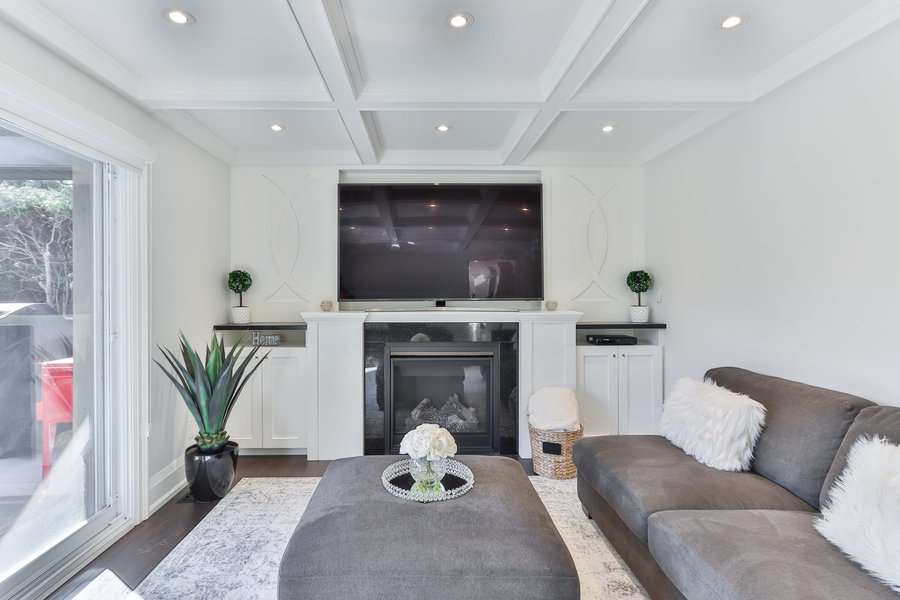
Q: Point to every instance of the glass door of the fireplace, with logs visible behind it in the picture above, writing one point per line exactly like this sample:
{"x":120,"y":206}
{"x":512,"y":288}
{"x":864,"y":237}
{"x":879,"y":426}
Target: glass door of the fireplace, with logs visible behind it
{"x":455,"y":392}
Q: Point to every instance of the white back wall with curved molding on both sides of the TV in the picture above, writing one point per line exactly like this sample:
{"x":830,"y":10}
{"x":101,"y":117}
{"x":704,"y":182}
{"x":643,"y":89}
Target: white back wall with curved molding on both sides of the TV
{"x":284,"y":231}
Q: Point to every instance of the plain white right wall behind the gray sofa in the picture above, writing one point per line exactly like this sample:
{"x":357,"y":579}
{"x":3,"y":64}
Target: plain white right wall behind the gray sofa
{"x":774,"y":237}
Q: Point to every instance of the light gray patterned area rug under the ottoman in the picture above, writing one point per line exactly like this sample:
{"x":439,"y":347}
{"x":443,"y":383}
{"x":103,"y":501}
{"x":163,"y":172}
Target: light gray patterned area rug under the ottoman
{"x":233,"y":554}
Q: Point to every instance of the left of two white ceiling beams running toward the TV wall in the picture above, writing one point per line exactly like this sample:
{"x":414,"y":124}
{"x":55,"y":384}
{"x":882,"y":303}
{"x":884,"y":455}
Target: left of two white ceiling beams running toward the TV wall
{"x":318,"y":29}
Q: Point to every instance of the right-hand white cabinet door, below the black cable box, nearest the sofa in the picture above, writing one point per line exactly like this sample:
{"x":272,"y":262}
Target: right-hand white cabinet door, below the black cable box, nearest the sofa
{"x":640,"y":389}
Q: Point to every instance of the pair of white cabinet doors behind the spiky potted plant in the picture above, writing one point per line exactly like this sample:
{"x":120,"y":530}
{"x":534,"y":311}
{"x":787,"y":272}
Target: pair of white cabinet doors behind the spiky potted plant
{"x":273,"y":410}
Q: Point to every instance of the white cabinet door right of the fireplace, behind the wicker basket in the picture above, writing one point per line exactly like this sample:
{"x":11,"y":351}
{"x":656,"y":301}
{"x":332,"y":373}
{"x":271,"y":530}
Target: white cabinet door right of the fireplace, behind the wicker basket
{"x":597,"y":389}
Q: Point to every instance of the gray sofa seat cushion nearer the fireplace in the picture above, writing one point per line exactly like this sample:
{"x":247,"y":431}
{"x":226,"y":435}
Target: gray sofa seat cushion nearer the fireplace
{"x":639,"y":475}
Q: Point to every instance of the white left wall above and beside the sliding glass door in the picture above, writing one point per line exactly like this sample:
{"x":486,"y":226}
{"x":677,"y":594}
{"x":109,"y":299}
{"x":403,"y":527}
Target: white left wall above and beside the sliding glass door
{"x":188,"y":235}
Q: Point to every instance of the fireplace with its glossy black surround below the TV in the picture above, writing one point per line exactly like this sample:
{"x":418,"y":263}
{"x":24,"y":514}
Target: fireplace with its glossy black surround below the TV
{"x":461,"y":376}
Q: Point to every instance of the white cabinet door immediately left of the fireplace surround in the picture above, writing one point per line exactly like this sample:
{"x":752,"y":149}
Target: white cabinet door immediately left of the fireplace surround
{"x":283,"y":398}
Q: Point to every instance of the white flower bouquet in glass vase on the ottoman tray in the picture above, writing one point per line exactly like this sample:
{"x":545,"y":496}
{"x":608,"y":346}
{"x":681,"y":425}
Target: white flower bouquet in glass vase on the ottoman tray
{"x":428,"y":446}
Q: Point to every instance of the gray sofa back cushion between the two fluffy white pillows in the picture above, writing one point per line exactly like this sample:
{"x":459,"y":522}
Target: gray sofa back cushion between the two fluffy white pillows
{"x":804,"y":428}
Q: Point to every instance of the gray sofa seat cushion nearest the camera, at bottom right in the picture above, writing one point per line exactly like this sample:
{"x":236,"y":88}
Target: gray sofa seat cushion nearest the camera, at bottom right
{"x":755,"y":554}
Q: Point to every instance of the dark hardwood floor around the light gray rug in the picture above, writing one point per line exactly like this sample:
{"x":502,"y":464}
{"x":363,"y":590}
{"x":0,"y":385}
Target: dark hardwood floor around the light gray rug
{"x":141,"y":549}
